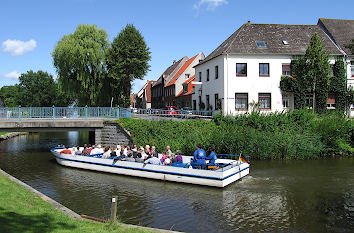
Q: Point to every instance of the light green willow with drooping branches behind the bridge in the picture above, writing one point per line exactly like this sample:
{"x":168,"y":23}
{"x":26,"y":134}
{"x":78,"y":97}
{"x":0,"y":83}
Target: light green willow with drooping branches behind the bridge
{"x":79,"y":59}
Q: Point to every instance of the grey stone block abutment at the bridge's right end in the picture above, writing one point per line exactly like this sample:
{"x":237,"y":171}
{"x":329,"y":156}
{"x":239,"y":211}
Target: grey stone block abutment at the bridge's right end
{"x":112,"y":134}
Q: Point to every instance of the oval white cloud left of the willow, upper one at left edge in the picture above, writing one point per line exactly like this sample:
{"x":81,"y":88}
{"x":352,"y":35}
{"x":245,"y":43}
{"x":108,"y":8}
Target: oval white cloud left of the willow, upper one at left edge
{"x":18,"y":47}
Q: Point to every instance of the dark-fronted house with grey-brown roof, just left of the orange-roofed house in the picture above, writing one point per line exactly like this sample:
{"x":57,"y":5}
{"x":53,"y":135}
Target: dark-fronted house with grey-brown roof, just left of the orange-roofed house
{"x":157,"y":89}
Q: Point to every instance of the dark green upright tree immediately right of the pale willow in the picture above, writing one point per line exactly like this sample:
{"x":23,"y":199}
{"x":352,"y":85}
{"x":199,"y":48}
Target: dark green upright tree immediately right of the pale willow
{"x":127,"y":60}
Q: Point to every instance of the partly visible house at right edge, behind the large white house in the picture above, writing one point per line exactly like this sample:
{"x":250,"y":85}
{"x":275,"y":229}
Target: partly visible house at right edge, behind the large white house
{"x":342,"y":34}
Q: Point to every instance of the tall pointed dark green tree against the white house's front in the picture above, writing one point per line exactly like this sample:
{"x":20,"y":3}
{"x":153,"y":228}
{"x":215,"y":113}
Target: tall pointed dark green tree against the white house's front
{"x":312,"y":74}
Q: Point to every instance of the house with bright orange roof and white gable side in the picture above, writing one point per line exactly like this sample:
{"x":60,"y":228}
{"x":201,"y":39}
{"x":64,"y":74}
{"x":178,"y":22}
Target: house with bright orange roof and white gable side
{"x":174,"y":87}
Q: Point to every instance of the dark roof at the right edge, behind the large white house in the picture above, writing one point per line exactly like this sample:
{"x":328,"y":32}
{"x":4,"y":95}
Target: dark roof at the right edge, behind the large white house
{"x":340,"y":30}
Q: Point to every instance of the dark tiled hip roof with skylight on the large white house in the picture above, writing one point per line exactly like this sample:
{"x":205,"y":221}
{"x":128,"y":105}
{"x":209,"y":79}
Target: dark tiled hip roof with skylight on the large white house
{"x":298,"y":37}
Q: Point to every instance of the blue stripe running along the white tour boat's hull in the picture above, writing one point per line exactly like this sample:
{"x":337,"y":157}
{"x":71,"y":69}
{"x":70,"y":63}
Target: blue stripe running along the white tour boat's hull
{"x":149,"y":170}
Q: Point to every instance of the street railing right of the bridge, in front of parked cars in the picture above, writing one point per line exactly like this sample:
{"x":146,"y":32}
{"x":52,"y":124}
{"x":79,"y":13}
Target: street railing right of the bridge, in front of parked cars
{"x":183,"y":114}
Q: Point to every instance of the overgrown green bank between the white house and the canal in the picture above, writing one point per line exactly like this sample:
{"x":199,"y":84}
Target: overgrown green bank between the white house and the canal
{"x":296,"y":135}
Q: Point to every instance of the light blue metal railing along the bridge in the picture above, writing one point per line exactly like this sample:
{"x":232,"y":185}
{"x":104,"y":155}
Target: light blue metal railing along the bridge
{"x":62,"y":113}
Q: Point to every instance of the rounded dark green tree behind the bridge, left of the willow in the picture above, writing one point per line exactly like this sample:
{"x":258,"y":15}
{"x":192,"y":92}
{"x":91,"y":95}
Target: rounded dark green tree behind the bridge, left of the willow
{"x":36,"y":89}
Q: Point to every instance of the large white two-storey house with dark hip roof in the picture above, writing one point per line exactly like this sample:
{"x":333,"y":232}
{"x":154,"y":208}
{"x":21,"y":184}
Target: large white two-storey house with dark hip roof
{"x":245,"y":70}
